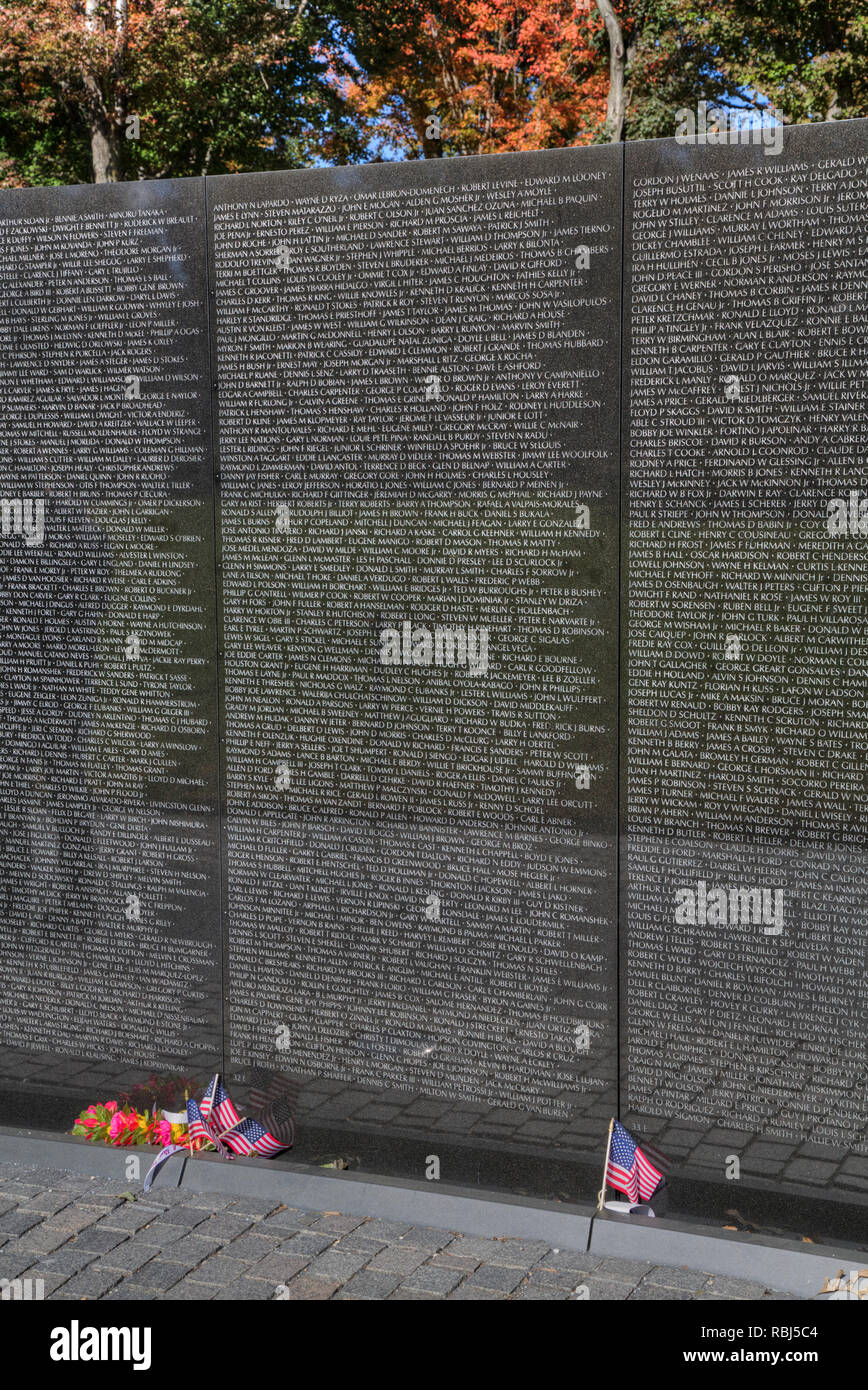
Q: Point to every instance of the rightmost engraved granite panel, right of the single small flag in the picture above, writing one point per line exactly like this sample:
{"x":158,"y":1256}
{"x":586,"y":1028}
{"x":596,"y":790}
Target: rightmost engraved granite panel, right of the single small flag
{"x":745,"y":871}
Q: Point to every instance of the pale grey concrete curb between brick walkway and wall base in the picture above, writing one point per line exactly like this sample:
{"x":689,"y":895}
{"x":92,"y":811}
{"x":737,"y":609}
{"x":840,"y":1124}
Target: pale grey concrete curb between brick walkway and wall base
{"x":782,"y":1266}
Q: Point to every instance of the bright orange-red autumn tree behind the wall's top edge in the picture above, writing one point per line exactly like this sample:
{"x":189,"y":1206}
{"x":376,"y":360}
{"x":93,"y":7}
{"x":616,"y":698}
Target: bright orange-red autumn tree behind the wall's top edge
{"x":497,"y":74}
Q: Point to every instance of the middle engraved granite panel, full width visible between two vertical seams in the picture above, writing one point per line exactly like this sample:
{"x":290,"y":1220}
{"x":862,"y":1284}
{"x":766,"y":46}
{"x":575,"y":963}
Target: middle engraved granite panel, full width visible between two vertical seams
{"x":418,"y":448}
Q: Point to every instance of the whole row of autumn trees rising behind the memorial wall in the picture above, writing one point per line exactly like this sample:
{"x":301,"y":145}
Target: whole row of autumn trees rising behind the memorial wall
{"x":106,"y":90}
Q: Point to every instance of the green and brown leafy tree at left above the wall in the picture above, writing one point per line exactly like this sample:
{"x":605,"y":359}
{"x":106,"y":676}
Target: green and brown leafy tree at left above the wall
{"x":112,"y":90}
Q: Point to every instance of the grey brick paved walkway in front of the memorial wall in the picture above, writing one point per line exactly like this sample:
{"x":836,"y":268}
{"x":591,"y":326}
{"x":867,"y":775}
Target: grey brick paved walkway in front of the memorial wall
{"x":88,"y":1239}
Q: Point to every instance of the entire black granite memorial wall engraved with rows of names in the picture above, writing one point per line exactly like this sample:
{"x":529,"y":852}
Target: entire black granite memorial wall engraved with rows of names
{"x":337,"y":507}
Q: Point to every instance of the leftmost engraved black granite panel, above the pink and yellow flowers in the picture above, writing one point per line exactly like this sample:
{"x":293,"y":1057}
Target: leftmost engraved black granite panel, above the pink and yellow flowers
{"x":109,"y":871}
